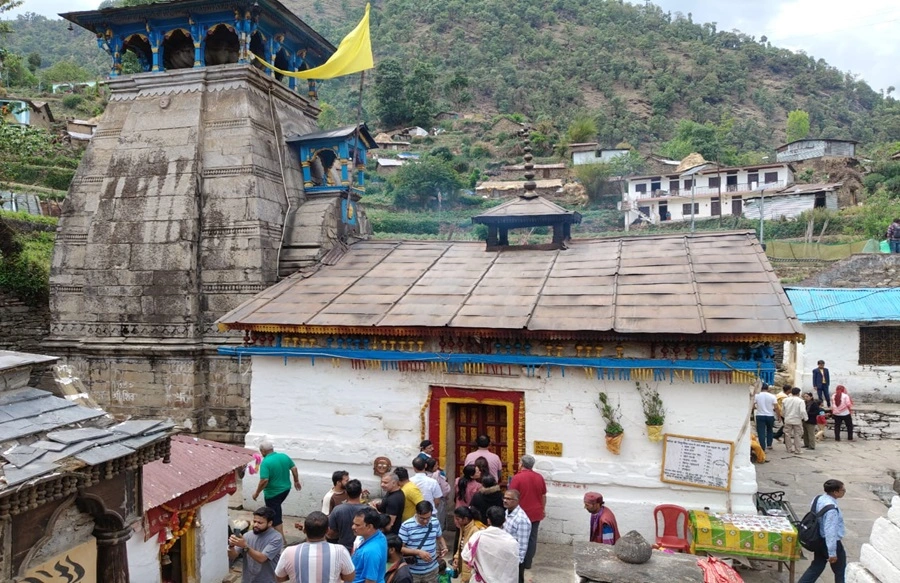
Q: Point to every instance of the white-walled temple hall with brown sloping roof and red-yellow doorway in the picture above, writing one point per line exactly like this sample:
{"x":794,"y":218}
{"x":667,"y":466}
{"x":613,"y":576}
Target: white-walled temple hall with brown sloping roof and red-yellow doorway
{"x":395,"y":341}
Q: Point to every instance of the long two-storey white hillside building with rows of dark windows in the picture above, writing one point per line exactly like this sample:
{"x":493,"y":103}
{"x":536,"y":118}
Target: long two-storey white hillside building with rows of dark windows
{"x":711,"y":191}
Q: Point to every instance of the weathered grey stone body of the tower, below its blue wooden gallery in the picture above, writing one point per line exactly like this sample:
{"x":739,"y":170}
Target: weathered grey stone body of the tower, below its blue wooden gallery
{"x":177,"y":214}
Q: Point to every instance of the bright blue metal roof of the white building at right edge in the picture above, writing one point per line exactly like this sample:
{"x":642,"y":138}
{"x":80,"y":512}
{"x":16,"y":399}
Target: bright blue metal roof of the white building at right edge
{"x":814,"y":304}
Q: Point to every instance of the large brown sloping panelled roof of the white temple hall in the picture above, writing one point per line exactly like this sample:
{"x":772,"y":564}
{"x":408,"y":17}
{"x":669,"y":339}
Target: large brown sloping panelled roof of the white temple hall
{"x":713,"y":283}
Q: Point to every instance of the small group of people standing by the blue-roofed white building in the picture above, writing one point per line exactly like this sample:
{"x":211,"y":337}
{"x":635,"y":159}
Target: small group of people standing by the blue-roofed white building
{"x":803,"y":415}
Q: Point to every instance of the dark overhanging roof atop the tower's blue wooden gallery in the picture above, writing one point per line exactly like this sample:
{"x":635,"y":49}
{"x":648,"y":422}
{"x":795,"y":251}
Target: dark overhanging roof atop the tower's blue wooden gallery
{"x":274,"y":13}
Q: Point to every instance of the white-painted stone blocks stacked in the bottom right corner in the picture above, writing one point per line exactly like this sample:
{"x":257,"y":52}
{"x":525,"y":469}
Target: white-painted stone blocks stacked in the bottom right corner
{"x":879,"y":559}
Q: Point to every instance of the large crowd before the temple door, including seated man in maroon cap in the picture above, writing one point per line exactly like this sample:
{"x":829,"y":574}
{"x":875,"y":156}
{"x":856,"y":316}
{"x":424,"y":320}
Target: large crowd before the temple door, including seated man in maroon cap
{"x":399,"y":537}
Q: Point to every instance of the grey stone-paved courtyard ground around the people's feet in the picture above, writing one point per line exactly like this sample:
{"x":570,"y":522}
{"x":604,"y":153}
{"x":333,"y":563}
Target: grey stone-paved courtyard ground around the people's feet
{"x":866,"y":467}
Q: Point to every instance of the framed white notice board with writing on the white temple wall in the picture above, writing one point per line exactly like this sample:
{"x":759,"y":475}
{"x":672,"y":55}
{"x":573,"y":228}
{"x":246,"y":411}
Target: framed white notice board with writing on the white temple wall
{"x":697,"y":461}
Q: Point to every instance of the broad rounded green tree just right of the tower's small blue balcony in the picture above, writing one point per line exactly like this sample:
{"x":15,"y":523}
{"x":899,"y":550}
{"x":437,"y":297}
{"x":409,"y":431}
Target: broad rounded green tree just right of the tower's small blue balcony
{"x":421,"y":184}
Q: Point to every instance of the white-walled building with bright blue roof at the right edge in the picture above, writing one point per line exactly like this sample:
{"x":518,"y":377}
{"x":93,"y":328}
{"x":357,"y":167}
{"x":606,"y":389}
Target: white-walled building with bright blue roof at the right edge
{"x":856,"y":331}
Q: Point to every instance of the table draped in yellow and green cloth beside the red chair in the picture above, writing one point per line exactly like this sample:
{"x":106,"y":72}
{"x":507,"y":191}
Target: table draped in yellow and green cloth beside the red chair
{"x":767,"y":538}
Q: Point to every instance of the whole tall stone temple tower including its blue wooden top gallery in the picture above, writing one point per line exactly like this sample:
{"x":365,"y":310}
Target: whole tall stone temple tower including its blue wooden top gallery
{"x":190,"y":199}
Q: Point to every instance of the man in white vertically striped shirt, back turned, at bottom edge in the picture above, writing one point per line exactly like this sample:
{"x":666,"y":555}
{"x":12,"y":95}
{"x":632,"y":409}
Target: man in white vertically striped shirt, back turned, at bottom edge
{"x":315,"y":561}
